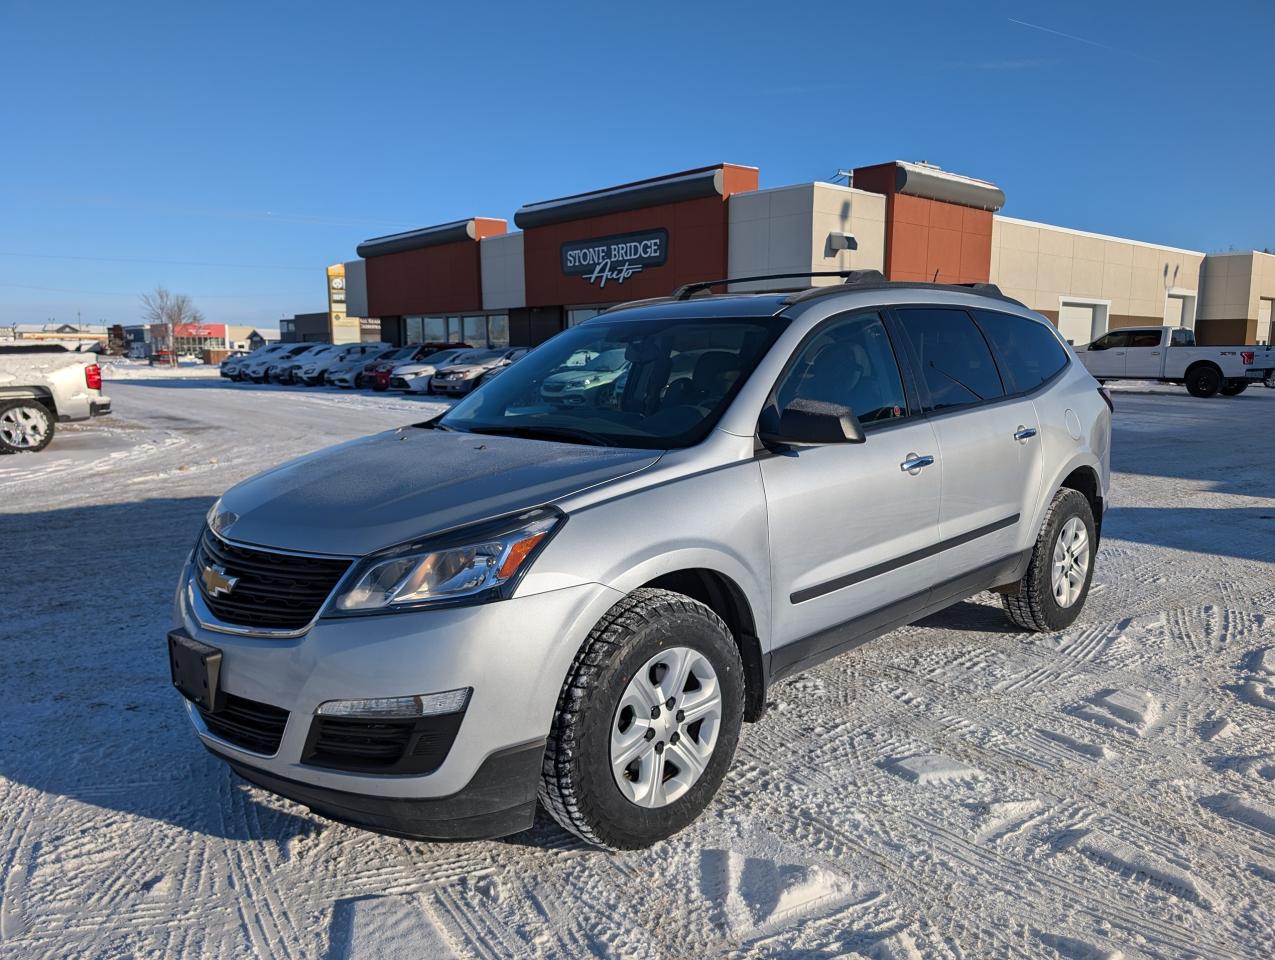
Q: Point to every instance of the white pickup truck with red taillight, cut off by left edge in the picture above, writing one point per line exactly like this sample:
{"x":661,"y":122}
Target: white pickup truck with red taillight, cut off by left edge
{"x":43,"y":384}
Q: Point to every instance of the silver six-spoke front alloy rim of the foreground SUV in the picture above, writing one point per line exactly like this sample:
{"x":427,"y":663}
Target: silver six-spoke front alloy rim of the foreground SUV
{"x":666,"y":727}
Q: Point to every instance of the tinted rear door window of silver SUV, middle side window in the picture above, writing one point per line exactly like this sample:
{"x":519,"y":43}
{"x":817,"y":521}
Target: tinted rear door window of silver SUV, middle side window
{"x":956,"y":361}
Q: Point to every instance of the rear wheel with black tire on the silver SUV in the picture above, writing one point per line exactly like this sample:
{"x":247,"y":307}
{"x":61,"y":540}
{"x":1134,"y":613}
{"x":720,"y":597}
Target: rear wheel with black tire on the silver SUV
{"x":1037,"y":605}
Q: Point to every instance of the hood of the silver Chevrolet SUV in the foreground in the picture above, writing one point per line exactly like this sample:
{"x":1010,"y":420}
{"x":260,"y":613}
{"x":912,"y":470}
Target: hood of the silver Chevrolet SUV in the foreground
{"x":369,"y":494}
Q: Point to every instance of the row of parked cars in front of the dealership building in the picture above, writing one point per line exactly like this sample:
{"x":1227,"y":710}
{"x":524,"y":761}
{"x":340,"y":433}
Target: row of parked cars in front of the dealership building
{"x":453,"y":369}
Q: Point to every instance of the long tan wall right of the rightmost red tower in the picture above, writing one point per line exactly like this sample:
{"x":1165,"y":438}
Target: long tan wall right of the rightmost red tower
{"x":1041,"y":265}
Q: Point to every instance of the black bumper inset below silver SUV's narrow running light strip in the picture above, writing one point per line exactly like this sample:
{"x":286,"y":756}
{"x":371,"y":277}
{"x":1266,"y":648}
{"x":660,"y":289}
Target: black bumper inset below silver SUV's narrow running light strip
{"x":416,"y":746}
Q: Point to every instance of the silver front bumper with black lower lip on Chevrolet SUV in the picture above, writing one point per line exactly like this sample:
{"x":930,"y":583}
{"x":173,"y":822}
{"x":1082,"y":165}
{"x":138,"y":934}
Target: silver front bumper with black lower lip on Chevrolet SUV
{"x":512,"y":653}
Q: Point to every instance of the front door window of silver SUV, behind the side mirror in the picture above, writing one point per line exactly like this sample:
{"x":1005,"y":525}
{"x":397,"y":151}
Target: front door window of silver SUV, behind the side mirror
{"x":850,"y":363}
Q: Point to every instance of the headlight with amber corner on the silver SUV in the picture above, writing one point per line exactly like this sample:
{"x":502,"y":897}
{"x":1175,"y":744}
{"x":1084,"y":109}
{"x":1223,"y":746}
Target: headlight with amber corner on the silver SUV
{"x":476,"y":564}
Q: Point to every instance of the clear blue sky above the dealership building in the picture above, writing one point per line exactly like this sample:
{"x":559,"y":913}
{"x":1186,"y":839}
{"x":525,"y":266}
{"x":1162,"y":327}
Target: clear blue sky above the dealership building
{"x":231,"y":152}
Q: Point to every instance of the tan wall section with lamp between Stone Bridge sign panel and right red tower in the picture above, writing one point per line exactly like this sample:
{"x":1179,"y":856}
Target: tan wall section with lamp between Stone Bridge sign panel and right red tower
{"x":786,"y":230}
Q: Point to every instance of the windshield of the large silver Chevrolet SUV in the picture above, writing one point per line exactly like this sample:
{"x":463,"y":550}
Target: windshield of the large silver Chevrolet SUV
{"x":656,"y":384}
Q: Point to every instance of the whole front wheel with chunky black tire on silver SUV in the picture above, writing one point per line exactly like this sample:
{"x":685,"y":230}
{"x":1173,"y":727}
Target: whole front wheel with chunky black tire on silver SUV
{"x":627,"y":648}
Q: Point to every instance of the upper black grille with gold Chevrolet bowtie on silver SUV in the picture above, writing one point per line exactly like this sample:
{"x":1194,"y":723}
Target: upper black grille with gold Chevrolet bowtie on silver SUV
{"x":272,"y":591}
